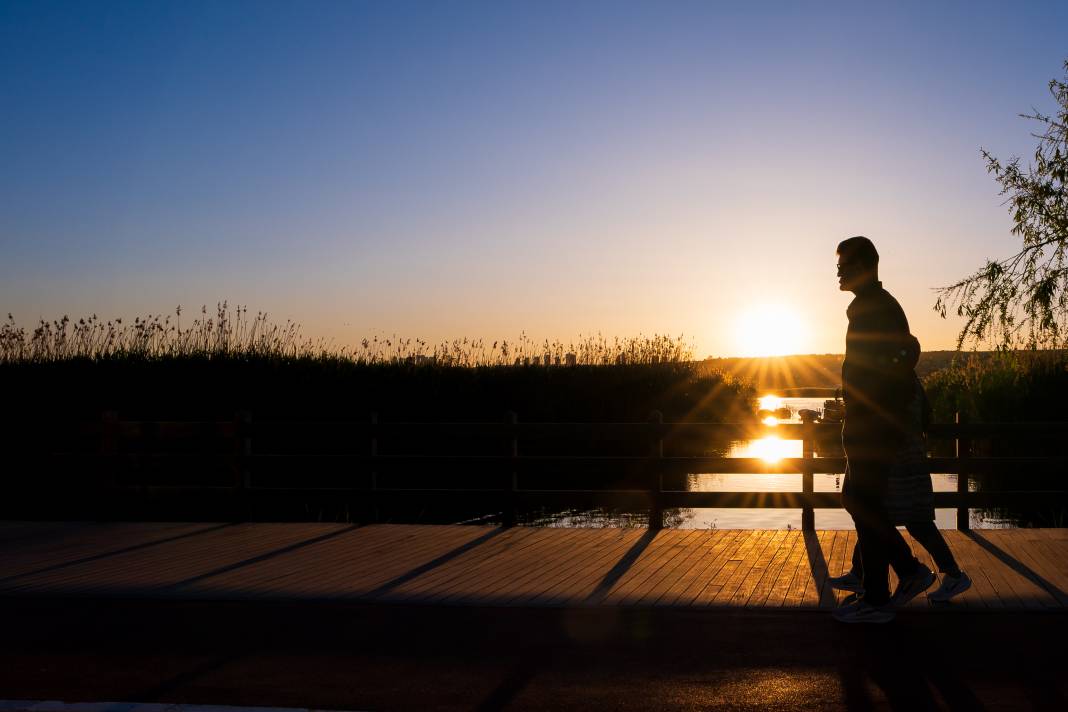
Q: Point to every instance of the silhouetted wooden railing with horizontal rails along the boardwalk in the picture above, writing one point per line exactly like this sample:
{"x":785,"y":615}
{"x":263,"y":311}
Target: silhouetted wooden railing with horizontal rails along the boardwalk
{"x":374,"y":469}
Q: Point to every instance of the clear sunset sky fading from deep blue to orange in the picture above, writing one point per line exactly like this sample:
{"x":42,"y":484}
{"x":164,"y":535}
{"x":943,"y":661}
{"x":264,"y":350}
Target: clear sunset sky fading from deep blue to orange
{"x":442,"y":170}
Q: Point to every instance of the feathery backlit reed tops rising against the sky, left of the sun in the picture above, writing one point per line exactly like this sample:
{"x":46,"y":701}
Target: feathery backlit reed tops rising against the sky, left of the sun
{"x":231,"y":333}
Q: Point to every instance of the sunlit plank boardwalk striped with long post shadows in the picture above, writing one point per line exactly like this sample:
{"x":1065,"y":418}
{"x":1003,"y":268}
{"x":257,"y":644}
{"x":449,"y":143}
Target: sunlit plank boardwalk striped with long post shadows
{"x":1013,"y":569}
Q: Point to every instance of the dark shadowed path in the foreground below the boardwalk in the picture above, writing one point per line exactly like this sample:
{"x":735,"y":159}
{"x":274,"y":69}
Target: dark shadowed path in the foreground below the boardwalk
{"x":334,"y":656}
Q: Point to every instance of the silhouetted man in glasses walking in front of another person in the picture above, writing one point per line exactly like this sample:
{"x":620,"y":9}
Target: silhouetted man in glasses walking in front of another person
{"x":877,"y":388}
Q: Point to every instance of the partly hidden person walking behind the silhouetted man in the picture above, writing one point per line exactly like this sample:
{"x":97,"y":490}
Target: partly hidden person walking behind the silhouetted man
{"x":910,"y":502}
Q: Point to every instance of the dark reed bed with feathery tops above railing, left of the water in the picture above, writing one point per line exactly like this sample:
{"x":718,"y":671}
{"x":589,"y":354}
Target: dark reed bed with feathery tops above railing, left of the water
{"x":165,"y":367}
